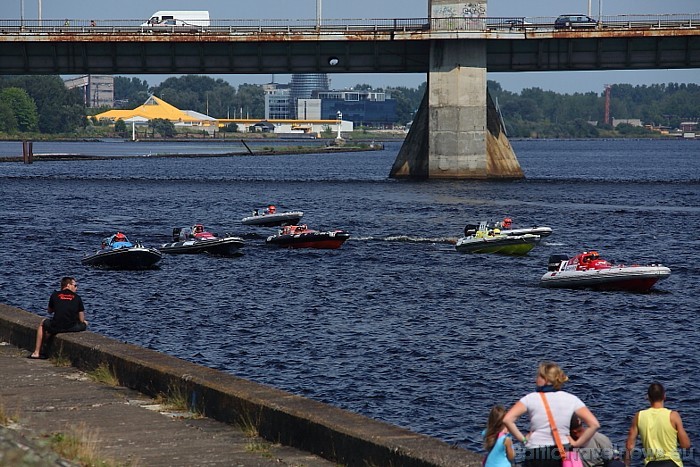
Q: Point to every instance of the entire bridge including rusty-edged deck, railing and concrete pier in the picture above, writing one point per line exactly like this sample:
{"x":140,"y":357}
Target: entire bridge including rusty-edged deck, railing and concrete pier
{"x":457,"y":133}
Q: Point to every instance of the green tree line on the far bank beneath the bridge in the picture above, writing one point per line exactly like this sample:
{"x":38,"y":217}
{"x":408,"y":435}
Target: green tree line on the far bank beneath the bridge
{"x":42,"y":104}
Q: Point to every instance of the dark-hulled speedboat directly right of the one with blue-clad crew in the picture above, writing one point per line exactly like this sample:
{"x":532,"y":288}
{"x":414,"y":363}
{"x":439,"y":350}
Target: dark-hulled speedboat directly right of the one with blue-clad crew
{"x":198,"y":240}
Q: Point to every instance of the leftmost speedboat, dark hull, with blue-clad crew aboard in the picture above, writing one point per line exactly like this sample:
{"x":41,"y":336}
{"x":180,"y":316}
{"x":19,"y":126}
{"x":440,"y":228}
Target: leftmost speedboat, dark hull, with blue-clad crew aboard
{"x":117,"y":252}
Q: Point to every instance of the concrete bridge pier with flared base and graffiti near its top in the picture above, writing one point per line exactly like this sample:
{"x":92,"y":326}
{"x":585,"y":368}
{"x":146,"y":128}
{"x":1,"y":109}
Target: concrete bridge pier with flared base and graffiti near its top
{"x":457,"y":132}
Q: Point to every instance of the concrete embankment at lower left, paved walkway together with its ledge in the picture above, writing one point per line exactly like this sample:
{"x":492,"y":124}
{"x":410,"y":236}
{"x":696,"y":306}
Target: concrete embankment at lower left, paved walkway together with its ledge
{"x":280,"y":418}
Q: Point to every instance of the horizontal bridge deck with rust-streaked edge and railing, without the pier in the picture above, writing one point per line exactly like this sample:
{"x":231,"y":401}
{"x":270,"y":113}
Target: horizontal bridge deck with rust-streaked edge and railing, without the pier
{"x":338,"y":46}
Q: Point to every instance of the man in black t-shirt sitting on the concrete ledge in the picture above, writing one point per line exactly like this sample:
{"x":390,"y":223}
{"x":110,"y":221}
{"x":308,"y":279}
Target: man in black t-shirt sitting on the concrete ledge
{"x":68,"y":312}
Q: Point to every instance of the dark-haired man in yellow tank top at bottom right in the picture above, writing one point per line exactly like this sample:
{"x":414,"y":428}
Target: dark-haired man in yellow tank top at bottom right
{"x":661,"y":430}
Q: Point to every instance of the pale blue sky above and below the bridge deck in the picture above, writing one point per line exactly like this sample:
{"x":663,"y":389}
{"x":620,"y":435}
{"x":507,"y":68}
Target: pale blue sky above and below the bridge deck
{"x":561,"y":82}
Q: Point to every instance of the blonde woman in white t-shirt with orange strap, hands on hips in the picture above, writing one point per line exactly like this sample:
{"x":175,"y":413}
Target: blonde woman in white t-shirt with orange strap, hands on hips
{"x":540,"y":447}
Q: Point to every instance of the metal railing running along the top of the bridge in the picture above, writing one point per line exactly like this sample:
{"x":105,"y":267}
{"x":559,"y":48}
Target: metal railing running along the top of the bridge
{"x":330,"y":26}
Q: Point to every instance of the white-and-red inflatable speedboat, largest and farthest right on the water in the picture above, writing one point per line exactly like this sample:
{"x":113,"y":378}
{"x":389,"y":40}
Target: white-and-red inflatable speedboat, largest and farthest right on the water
{"x":588,"y":271}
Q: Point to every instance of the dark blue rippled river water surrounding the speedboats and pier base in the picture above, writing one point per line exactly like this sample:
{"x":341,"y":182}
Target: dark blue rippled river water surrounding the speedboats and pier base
{"x":395,"y":325}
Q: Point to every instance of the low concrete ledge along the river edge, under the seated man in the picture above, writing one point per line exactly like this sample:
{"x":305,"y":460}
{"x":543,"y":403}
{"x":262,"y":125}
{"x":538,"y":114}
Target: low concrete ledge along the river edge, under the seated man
{"x":337,"y":435}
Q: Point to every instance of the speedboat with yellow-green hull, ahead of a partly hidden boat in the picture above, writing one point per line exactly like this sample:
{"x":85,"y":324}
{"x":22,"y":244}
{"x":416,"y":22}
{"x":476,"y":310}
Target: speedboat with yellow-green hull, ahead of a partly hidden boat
{"x":482,"y":239}
